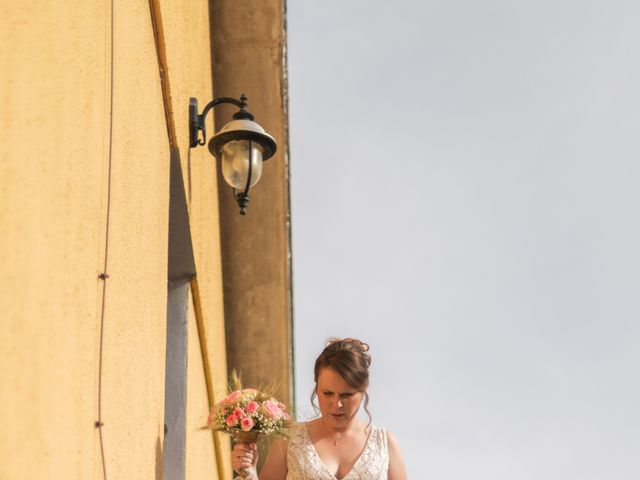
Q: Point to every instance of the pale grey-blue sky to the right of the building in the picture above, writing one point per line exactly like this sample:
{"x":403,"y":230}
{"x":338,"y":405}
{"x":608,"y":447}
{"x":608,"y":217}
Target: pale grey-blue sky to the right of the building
{"x":464,"y":181}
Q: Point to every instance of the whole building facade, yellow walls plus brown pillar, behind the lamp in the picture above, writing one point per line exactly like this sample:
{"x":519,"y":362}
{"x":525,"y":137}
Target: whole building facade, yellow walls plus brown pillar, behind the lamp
{"x":130,"y":284}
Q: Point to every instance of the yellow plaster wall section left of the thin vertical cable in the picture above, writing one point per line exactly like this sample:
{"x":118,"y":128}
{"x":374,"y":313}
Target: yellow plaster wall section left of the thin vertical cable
{"x":54,"y":130}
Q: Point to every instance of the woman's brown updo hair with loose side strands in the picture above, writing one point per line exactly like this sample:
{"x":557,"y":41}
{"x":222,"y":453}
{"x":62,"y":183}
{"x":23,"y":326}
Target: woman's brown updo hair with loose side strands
{"x":350,"y":358}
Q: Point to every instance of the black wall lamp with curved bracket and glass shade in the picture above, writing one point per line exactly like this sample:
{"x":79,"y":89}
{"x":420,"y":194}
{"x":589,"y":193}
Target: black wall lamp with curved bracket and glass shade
{"x":241,"y":145}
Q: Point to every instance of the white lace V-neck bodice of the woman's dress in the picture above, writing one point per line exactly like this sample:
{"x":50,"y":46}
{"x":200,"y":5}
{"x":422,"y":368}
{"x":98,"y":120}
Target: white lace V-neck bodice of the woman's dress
{"x":303,"y":462}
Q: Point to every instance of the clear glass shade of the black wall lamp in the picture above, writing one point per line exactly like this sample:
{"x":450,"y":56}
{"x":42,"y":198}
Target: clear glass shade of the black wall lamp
{"x":235,"y":163}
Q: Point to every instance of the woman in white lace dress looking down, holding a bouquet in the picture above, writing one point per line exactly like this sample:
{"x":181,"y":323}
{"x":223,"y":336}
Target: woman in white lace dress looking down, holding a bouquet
{"x":337,"y":445}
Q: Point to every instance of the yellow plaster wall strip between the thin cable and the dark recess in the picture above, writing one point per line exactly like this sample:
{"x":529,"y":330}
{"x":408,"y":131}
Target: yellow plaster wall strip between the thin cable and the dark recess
{"x":136,"y":295}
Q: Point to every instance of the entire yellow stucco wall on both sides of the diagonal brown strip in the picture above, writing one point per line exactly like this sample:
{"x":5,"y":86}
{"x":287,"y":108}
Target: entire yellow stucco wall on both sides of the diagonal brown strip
{"x":55,"y":96}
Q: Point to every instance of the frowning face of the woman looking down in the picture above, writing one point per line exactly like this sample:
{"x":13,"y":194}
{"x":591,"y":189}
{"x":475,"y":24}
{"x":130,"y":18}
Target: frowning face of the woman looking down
{"x":339,"y":402}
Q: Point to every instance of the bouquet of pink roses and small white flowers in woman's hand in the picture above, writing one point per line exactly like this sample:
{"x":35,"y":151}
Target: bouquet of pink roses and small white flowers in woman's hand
{"x":245,"y":413}
